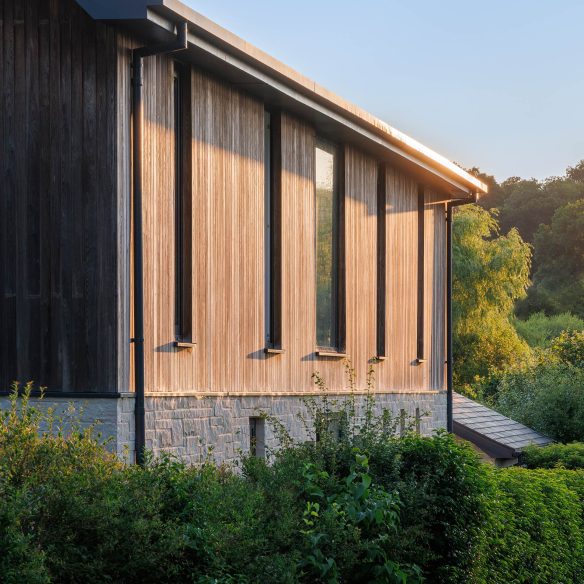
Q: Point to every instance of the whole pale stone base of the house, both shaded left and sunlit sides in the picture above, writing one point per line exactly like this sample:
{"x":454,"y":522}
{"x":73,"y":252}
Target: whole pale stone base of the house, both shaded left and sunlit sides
{"x":196,"y":428}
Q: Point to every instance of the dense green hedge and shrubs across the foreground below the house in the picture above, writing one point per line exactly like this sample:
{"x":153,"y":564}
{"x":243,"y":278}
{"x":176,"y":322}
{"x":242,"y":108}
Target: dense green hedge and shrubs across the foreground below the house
{"x":360,"y":506}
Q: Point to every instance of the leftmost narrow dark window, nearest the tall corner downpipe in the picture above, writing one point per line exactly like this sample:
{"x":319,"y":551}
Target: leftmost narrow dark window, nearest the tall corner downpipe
{"x":182,"y":204}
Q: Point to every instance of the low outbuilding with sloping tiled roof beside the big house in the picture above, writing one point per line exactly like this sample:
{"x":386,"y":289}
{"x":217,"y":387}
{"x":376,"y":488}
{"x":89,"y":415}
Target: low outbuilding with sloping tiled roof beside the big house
{"x":499,"y":440}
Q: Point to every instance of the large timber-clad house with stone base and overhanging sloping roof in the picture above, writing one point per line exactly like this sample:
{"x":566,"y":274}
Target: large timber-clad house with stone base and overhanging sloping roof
{"x":191,"y":228}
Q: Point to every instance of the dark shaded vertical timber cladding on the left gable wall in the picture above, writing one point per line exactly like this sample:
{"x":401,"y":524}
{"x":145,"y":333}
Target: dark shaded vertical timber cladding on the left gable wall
{"x":58,"y":323}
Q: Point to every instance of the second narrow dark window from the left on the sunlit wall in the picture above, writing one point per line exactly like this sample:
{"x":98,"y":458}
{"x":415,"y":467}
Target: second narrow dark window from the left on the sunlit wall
{"x":273,"y":230}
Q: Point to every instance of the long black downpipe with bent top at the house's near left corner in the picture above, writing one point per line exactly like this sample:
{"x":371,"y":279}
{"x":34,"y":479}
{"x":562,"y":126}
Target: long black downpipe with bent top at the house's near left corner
{"x":138,"y":55}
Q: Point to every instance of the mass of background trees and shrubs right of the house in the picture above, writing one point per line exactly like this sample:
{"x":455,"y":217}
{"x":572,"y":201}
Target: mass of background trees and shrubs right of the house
{"x":518,"y":301}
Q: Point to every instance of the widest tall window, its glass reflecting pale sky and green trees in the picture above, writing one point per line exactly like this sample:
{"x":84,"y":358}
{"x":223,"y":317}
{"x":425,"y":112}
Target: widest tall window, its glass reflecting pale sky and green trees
{"x":329,"y":170}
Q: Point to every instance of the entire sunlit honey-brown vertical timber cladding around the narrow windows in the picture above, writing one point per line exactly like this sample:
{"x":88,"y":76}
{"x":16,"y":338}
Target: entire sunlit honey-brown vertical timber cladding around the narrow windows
{"x":228,"y":255}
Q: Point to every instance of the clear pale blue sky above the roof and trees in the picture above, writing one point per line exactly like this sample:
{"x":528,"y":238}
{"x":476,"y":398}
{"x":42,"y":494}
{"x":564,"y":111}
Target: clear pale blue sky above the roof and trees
{"x":494,"y":83}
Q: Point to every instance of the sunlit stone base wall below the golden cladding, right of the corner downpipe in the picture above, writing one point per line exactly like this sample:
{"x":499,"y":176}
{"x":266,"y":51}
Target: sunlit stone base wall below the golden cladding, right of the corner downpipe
{"x":195,"y":429}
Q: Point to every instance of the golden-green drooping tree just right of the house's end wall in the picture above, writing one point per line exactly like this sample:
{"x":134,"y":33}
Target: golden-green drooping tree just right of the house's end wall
{"x":491,"y":271}
